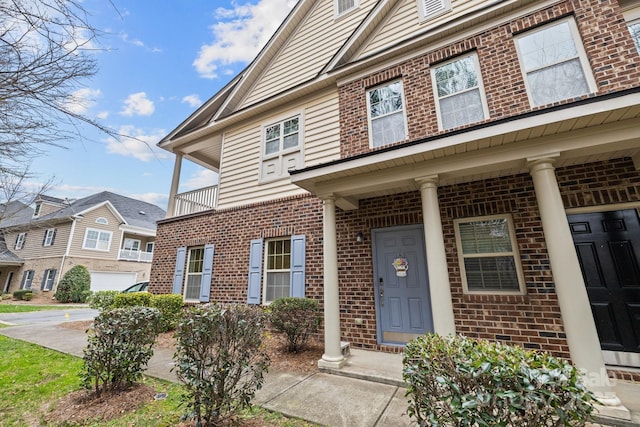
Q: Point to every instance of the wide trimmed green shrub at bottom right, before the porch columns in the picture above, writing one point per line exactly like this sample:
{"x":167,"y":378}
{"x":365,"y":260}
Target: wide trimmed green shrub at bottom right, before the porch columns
{"x":458,"y":381}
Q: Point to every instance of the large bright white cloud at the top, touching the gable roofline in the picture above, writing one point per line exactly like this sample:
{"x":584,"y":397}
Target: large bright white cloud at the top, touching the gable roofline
{"x":240,"y":33}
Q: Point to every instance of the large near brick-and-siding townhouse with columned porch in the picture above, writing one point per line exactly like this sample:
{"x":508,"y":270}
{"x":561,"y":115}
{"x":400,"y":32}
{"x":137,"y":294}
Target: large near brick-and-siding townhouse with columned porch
{"x":457,"y":166}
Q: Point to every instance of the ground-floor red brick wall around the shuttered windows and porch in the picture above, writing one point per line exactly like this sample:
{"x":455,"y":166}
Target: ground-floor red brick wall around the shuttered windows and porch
{"x":532,"y":320}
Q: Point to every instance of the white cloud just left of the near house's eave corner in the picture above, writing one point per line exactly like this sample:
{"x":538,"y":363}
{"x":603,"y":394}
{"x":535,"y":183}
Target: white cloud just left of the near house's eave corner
{"x":138,"y":144}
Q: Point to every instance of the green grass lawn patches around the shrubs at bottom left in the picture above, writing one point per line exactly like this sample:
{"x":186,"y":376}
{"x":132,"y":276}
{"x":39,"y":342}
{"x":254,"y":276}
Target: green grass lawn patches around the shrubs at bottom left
{"x":33,"y":379}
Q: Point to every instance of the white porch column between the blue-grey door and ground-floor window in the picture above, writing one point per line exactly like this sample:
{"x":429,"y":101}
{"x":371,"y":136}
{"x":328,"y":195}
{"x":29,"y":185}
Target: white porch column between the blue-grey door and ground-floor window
{"x":439,"y":286}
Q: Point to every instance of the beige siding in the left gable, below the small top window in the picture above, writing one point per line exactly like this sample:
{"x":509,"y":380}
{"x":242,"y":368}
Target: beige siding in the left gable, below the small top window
{"x":297,"y":62}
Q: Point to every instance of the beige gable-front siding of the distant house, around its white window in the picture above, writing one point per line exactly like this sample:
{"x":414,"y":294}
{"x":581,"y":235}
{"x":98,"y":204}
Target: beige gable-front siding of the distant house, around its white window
{"x":89,"y":221}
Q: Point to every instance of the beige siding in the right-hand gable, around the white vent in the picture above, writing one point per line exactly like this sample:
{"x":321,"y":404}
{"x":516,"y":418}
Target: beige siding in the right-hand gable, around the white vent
{"x":405,"y":21}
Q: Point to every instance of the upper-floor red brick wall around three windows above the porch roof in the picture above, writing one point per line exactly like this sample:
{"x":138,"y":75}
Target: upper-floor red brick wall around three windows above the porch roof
{"x":606,"y":39}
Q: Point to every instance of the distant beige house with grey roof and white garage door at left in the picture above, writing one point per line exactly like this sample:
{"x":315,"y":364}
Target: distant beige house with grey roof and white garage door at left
{"x":112,"y":235}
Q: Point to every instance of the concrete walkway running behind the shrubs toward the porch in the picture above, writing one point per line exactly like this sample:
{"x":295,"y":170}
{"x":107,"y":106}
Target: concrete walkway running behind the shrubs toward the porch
{"x":366,"y":392}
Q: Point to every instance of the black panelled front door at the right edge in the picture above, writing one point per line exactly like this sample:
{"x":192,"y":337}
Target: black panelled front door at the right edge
{"x":608,"y":247}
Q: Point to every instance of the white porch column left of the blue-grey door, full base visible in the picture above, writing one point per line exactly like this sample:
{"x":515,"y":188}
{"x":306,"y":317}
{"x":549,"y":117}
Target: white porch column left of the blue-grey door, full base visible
{"x":332,"y":357}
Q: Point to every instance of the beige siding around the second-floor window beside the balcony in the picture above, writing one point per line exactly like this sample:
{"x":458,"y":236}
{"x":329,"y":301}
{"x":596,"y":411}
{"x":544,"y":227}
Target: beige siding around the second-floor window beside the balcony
{"x":240,"y":169}
